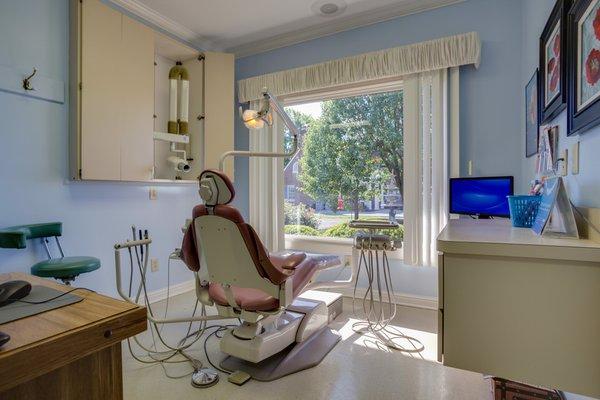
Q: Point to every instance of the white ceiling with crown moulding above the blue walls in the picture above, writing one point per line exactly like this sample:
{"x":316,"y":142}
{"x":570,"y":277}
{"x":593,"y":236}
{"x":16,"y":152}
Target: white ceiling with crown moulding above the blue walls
{"x":249,"y":27}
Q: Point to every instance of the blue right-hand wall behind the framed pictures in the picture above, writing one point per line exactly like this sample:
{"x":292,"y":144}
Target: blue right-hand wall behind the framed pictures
{"x":584,"y":188}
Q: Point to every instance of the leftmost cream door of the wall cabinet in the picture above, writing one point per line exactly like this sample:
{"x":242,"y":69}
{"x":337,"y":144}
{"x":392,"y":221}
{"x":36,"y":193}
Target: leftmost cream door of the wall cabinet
{"x":100,"y":88}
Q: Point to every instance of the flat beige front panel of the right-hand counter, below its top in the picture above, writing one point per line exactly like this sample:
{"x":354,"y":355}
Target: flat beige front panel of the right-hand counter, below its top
{"x":523,"y":319}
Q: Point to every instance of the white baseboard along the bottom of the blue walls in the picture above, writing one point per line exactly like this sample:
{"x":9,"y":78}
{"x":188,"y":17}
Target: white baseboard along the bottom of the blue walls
{"x":402,"y":299}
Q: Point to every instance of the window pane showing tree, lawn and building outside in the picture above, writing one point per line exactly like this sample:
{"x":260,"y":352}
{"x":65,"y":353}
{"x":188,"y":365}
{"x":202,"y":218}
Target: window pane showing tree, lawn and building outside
{"x":352,"y":164}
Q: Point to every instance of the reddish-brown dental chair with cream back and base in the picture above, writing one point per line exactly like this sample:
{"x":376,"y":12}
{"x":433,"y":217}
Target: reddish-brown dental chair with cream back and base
{"x":280,"y":333}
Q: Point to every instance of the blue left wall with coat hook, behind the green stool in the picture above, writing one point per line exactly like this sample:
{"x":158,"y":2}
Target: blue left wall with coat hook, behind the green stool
{"x":34,"y":157}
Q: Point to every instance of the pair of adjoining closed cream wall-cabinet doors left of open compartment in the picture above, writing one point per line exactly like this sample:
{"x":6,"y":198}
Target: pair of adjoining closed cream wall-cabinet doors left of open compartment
{"x":117,"y":95}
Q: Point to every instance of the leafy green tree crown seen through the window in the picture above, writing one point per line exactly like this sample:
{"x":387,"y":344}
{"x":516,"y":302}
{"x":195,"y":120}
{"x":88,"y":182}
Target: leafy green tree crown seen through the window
{"x":353,"y":149}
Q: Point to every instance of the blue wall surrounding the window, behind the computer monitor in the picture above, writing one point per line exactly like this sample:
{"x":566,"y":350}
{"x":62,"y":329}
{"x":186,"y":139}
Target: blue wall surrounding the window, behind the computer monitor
{"x":490,"y":96}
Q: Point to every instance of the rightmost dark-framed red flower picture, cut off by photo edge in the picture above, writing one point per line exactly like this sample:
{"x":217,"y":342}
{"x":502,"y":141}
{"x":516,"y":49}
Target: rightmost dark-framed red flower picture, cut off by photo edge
{"x":584,"y":66}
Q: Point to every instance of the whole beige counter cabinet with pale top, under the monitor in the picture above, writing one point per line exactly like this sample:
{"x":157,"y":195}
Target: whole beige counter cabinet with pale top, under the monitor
{"x":520,"y":306}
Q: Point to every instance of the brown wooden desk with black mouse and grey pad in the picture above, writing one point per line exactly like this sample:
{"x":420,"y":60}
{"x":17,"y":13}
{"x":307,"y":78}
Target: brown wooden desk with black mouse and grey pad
{"x":73,"y":352}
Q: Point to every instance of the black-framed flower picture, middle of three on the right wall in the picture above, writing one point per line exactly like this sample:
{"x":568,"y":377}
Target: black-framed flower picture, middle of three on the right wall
{"x":553,"y":69}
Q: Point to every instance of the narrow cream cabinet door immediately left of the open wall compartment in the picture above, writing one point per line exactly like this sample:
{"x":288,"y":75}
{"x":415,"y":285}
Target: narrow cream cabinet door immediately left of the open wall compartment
{"x":137,"y":101}
